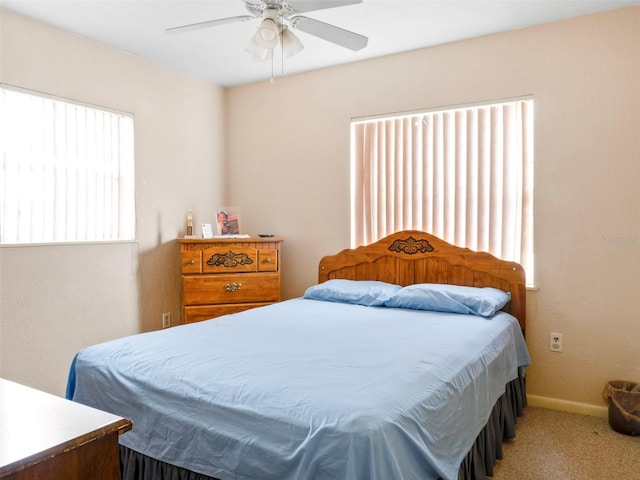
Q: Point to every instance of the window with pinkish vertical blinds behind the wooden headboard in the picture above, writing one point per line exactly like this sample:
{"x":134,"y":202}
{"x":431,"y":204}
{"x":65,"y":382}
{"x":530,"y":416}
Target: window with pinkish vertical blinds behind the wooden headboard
{"x":462,"y":174}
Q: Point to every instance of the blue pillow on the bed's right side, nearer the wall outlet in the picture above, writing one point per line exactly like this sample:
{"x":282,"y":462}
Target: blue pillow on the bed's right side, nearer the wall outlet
{"x":485,"y":301}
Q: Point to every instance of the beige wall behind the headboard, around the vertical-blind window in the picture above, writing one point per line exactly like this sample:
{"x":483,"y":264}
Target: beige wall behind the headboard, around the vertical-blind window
{"x":288,"y":166}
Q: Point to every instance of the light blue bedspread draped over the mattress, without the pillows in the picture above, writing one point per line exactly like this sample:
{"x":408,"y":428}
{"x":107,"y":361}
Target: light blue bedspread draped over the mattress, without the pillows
{"x":307,"y":389}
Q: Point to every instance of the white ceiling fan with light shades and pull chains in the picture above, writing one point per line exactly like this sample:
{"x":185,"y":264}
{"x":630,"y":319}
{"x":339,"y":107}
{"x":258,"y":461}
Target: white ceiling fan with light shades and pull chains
{"x":278,"y":18}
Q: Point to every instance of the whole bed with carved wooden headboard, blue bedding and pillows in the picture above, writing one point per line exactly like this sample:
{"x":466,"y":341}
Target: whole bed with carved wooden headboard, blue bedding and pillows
{"x":361,"y":378}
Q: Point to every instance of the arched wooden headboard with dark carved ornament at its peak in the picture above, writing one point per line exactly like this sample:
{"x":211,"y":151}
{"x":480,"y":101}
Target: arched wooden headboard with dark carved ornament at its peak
{"x":411,"y":256}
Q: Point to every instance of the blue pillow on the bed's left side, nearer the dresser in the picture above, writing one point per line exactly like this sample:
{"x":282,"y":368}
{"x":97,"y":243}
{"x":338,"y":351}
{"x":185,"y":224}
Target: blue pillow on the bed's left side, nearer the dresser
{"x":359,"y":292}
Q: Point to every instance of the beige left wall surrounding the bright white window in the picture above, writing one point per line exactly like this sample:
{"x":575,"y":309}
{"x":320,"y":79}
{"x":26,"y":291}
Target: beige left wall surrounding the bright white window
{"x":55,"y":300}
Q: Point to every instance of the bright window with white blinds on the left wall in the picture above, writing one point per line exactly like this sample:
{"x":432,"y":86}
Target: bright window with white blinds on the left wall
{"x":67,"y":171}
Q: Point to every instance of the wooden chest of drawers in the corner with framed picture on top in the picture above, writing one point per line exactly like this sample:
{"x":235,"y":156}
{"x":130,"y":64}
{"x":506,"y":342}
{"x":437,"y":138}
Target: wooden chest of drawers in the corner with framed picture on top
{"x":228,"y":275}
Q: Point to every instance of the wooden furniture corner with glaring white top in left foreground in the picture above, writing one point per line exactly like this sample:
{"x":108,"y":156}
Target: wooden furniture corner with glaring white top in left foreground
{"x":47,"y":437}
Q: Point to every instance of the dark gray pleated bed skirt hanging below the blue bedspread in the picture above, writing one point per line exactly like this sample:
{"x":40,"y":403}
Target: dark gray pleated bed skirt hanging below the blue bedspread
{"x":477,"y":465}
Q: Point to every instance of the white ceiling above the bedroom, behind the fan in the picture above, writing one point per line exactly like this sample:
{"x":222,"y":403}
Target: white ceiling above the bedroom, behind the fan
{"x":217,"y":54}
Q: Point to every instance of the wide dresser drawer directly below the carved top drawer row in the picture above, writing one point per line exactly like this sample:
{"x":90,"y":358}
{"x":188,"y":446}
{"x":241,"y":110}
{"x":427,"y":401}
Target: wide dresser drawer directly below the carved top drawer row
{"x":221,"y":289}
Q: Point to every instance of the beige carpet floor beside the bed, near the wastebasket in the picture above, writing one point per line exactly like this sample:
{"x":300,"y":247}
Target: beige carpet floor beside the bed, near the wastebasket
{"x":552,"y":445}
